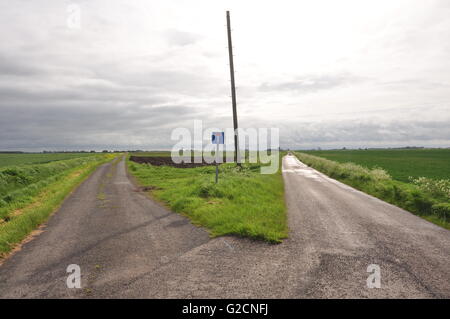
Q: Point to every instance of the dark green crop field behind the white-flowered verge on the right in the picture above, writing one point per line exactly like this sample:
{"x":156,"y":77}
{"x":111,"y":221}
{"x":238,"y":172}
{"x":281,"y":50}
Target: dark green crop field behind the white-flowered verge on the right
{"x":399,"y":163}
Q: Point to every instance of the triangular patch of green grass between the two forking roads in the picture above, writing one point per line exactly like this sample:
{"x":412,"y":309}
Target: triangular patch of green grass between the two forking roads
{"x":244,"y":202}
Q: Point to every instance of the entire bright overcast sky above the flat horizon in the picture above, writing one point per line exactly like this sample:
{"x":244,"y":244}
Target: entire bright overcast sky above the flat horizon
{"x":327,"y":73}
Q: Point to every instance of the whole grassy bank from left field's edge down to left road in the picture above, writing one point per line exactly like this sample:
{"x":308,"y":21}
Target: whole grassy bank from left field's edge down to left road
{"x":23,"y":211}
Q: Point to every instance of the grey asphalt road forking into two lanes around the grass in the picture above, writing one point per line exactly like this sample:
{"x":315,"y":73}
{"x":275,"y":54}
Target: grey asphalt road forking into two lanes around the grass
{"x":128,"y":246}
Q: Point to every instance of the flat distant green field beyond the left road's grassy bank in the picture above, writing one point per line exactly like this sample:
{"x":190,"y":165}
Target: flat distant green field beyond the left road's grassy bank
{"x":7,"y":159}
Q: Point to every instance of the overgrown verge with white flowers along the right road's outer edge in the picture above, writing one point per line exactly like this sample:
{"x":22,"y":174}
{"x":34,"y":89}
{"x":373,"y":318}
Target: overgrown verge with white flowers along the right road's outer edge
{"x":427,"y":198}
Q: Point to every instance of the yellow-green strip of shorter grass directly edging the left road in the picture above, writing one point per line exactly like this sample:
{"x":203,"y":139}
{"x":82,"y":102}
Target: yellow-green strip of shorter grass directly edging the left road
{"x":23,"y":219}
